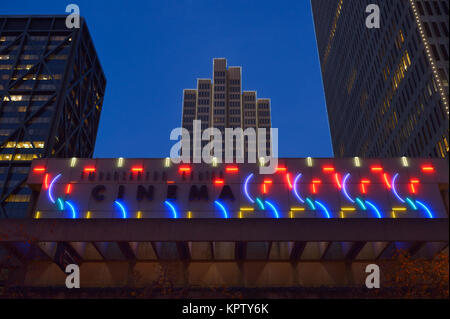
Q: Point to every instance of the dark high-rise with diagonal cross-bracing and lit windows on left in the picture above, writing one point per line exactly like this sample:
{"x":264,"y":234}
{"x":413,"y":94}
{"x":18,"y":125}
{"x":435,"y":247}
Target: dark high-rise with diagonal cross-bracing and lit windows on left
{"x":51,"y":94}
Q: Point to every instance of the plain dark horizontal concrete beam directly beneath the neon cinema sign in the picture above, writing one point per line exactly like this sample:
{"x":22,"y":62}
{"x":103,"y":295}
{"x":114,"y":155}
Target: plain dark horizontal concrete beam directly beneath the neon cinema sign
{"x":144,"y":230}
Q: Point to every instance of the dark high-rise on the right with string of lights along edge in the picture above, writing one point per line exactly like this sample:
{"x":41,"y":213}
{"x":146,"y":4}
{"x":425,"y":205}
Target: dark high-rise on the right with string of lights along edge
{"x":386,"y":88}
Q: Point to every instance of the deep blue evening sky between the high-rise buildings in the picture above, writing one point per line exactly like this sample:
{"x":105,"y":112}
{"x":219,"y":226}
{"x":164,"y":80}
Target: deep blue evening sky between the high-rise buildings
{"x":151,"y":50}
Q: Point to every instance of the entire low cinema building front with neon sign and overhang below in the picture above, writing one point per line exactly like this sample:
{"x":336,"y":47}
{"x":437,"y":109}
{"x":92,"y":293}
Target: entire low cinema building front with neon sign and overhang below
{"x":314,"y":223}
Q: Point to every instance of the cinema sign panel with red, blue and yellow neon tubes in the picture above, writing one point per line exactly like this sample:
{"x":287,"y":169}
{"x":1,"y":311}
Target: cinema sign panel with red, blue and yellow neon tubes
{"x":325,"y":190}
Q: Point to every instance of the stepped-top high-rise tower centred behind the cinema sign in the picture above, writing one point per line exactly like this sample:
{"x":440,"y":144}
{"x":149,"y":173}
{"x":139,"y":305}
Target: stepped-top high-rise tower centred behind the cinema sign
{"x":221,"y":103}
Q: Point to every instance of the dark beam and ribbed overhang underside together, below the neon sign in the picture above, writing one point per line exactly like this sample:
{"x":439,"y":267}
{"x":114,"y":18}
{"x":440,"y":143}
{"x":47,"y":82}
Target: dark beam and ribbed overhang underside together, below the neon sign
{"x":236,"y":240}
